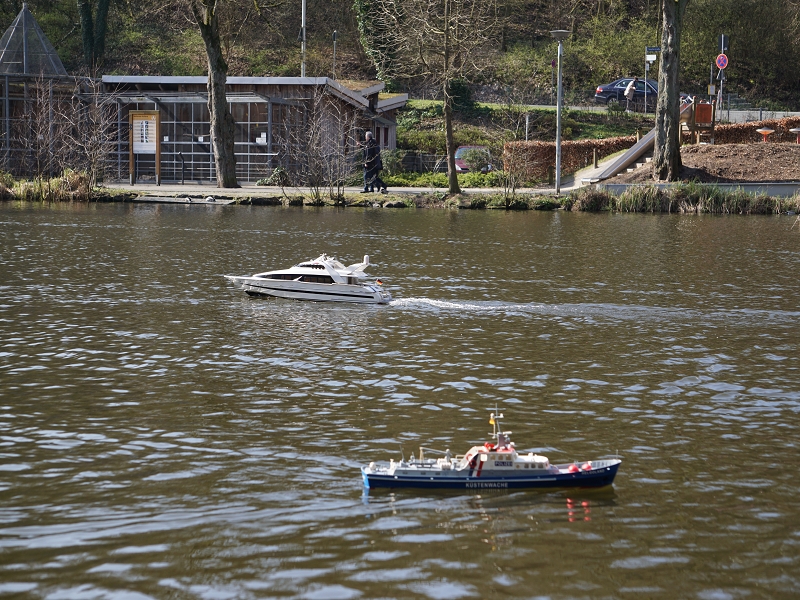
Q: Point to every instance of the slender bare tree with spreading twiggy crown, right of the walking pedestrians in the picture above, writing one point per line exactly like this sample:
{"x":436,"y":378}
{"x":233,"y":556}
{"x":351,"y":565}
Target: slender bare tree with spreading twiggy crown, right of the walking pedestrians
{"x":440,"y":40}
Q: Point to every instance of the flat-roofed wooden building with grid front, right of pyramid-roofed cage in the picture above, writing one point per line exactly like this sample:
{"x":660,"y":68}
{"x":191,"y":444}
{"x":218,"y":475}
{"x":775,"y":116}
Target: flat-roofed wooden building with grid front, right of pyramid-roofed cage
{"x":288,"y":122}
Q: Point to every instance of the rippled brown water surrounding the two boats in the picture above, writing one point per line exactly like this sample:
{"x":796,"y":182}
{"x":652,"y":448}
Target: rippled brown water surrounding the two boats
{"x":162,"y":435}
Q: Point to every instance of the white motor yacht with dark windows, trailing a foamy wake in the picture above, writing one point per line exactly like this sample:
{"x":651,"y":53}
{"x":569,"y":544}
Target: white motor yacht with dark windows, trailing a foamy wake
{"x":323,"y":279}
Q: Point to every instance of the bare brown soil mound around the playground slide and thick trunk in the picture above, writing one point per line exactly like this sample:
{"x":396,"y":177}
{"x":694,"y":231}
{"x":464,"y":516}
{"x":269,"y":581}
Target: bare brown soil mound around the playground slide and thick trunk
{"x":730,"y":163}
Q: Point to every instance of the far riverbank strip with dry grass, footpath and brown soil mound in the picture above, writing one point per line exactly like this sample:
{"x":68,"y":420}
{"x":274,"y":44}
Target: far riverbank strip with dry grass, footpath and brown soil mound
{"x":722,"y":179}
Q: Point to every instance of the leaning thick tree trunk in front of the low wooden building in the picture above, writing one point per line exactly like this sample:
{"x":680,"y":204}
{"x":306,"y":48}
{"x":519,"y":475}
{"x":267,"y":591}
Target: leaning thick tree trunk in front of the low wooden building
{"x":223,"y":127}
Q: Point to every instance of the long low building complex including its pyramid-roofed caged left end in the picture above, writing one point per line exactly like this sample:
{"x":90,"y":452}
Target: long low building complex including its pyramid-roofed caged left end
{"x":49,"y":120}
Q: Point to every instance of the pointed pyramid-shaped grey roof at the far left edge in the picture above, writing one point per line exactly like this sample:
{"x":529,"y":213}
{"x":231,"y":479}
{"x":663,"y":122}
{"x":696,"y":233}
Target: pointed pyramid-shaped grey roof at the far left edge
{"x":25,"y":49}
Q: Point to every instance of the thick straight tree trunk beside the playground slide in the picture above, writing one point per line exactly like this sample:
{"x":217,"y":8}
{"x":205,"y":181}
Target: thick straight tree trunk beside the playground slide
{"x":667,"y":153}
